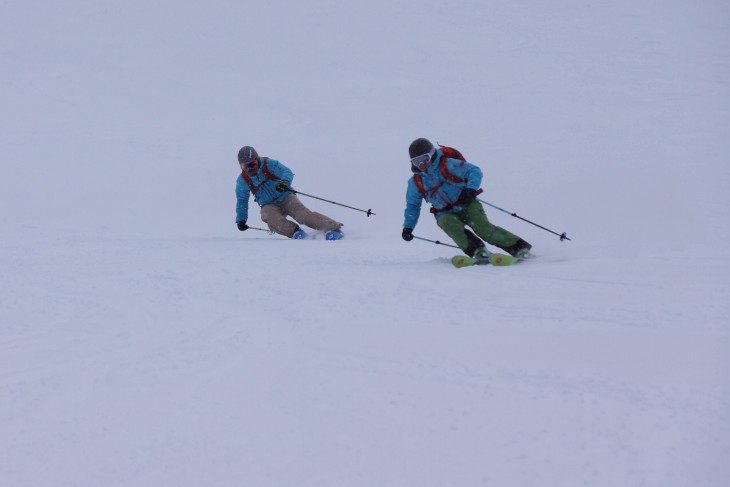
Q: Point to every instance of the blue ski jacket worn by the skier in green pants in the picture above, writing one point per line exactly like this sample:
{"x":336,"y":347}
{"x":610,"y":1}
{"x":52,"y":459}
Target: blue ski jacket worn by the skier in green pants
{"x":440,"y":192}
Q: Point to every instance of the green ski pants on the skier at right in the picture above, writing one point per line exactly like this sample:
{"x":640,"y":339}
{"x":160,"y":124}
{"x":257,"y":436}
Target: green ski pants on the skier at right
{"x":473,"y":215}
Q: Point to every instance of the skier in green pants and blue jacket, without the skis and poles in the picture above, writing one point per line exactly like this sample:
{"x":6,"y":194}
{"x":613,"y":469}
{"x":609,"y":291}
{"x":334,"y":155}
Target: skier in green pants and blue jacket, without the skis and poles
{"x":450,"y":184}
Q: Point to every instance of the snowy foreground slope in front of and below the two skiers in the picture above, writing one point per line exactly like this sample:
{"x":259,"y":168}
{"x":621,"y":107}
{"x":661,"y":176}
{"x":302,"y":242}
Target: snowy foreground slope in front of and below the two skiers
{"x":222,"y":361}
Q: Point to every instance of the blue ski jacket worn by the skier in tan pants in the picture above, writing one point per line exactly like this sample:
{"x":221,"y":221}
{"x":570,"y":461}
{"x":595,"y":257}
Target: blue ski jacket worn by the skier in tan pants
{"x":266,"y":193}
